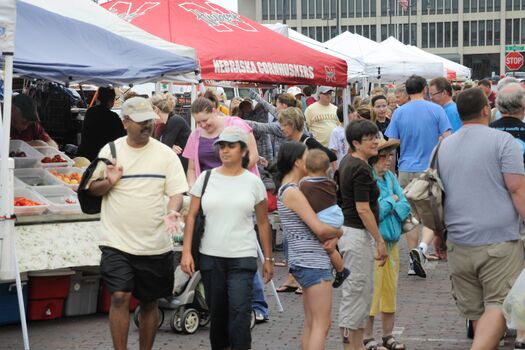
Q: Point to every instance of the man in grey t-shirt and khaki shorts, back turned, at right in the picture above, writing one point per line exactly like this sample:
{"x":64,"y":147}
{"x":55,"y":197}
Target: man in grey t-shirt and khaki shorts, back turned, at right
{"x":484,"y":180}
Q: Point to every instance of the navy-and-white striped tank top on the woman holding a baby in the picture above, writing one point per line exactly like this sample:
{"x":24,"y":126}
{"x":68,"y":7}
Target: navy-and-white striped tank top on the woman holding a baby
{"x":303,"y":247}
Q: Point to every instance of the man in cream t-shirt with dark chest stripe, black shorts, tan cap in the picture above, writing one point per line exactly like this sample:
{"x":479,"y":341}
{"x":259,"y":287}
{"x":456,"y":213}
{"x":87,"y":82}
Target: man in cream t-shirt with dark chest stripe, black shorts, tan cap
{"x":136,"y":247}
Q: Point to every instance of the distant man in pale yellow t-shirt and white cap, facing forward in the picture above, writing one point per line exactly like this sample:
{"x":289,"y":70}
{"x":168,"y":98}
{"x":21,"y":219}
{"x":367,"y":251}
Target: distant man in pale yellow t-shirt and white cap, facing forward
{"x":321,"y":116}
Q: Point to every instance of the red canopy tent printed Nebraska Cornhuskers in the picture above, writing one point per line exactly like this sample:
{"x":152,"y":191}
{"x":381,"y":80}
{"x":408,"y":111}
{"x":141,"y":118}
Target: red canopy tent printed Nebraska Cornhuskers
{"x":231,"y":47}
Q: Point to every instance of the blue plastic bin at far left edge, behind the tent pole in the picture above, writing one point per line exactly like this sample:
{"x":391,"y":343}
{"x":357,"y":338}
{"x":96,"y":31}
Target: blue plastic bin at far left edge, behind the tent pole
{"x":9,"y":301}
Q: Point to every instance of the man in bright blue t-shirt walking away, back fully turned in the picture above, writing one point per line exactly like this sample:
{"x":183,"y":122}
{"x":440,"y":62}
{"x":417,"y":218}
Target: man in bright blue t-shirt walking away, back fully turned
{"x":418,"y":125}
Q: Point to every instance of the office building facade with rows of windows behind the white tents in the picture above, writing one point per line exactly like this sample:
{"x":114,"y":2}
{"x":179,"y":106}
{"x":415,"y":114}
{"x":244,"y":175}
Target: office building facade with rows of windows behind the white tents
{"x":476,"y":33}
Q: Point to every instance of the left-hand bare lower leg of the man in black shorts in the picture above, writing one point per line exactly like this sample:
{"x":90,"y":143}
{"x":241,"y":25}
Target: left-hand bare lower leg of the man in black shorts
{"x":119,"y":319}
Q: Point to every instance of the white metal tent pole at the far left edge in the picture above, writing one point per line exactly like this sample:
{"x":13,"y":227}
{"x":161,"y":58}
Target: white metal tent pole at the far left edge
{"x":6,"y":209}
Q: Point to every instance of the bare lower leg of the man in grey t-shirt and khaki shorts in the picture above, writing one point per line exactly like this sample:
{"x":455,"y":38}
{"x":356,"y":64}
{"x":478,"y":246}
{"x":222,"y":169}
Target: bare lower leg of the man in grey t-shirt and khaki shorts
{"x":488,"y":330}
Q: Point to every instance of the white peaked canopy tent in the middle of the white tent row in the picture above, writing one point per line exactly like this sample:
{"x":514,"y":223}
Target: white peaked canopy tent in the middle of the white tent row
{"x":384,"y":63}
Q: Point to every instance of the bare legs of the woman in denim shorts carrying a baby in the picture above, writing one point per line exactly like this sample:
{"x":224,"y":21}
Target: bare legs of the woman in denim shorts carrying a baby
{"x":318,"y":300}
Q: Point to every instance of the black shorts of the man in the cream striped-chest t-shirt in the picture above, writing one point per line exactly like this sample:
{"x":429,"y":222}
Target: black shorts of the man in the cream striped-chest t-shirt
{"x":147,"y":277}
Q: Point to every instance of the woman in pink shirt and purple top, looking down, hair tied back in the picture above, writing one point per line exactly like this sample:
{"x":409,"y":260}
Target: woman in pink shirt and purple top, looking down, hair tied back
{"x":199,"y":150}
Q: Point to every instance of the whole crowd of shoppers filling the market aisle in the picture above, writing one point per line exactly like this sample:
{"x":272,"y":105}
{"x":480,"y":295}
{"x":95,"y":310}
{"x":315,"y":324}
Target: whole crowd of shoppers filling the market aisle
{"x":339,"y":192}
